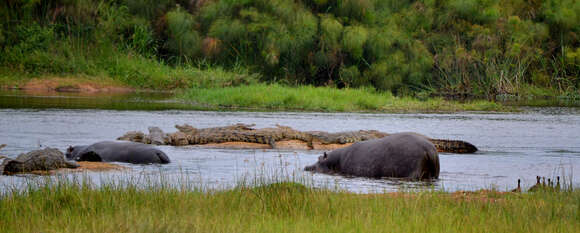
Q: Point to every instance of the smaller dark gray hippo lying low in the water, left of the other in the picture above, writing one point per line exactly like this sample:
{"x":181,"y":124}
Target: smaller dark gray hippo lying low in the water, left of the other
{"x":109,"y":151}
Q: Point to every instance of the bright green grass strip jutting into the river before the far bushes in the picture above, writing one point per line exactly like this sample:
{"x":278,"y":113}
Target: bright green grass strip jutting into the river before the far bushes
{"x":308,"y":98}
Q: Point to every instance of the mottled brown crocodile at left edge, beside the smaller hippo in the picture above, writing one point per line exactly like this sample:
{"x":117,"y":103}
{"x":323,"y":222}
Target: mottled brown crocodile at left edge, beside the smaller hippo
{"x":36,"y":160}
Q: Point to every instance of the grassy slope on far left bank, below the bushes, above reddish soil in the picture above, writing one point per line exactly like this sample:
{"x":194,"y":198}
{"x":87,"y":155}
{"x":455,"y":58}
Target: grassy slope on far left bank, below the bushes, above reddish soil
{"x":130,"y":70}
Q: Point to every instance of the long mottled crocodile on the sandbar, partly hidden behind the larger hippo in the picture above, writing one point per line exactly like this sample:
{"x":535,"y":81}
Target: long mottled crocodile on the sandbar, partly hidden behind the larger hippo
{"x":243,"y":133}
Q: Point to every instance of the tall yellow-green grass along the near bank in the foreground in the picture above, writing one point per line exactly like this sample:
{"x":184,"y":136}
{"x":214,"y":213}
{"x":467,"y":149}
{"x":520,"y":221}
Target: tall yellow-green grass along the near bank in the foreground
{"x":280,"y":207}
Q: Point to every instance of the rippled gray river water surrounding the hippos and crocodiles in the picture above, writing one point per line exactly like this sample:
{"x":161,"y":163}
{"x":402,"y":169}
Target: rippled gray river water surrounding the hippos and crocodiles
{"x":537,"y":141}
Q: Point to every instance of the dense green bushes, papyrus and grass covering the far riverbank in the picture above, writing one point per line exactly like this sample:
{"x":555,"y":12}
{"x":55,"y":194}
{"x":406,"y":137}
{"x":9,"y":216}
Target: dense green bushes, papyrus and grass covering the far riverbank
{"x":480,"y":48}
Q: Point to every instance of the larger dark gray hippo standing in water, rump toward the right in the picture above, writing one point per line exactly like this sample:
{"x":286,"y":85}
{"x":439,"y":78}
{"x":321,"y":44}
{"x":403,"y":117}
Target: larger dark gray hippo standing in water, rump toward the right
{"x":401,"y":155}
